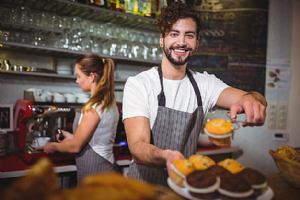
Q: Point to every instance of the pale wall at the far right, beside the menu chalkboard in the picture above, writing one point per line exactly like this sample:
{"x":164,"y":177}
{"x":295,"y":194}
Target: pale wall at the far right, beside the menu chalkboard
{"x":283,"y":51}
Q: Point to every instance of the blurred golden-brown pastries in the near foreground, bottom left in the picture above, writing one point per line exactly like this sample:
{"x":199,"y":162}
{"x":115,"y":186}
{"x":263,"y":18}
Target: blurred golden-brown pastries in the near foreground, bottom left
{"x":41,"y":183}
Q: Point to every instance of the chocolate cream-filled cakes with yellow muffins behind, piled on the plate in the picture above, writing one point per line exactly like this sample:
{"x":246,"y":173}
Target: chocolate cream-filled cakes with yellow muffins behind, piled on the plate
{"x":226,"y":179}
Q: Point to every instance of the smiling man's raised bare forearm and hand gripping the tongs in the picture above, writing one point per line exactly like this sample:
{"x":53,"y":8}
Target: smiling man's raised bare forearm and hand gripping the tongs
{"x":253,"y":104}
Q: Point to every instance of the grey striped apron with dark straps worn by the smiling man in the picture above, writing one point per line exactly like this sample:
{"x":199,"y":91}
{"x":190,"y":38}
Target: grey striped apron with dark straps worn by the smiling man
{"x":172,"y":129}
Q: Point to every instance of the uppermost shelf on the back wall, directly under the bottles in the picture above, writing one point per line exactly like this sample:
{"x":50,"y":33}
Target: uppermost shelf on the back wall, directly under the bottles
{"x":89,"y":12}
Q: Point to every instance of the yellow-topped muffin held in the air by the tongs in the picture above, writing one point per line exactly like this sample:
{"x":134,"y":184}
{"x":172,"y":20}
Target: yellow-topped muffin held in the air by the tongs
{"x":219,"y":131}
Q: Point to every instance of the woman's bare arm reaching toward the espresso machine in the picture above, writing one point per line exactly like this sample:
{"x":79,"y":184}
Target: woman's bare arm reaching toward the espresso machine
{"x":84,"y":132}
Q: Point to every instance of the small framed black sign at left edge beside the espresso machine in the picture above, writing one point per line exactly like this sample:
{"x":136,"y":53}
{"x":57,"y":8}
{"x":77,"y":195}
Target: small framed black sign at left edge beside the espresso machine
{"x":6,"y":117}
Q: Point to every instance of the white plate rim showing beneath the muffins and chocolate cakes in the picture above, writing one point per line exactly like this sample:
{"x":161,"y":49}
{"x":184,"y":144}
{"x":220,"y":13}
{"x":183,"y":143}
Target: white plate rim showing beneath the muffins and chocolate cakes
{"x":267,"y":195}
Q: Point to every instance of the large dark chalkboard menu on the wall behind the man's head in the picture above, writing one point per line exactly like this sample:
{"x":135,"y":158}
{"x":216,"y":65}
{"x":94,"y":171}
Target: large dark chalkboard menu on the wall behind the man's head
{"x":233,"y":41}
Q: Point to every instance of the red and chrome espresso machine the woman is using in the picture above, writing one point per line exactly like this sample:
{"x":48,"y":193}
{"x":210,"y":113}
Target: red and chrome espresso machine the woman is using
{"x":34,"y":121}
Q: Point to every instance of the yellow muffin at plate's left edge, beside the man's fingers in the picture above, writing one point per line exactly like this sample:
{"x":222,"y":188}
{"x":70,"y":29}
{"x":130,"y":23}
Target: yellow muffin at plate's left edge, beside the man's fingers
{"x":179,"y":169}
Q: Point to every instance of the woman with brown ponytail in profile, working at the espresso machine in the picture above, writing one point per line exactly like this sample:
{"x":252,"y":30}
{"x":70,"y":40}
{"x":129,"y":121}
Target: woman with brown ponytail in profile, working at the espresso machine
{"x":94,"y":137}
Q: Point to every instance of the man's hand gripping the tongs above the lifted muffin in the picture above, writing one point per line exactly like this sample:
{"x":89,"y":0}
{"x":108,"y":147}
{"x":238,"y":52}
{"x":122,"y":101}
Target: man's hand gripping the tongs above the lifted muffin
{"x":253,"y":105}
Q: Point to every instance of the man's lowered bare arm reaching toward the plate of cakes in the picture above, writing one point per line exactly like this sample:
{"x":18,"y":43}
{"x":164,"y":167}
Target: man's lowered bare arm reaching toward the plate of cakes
{"x":138,"y":138}
